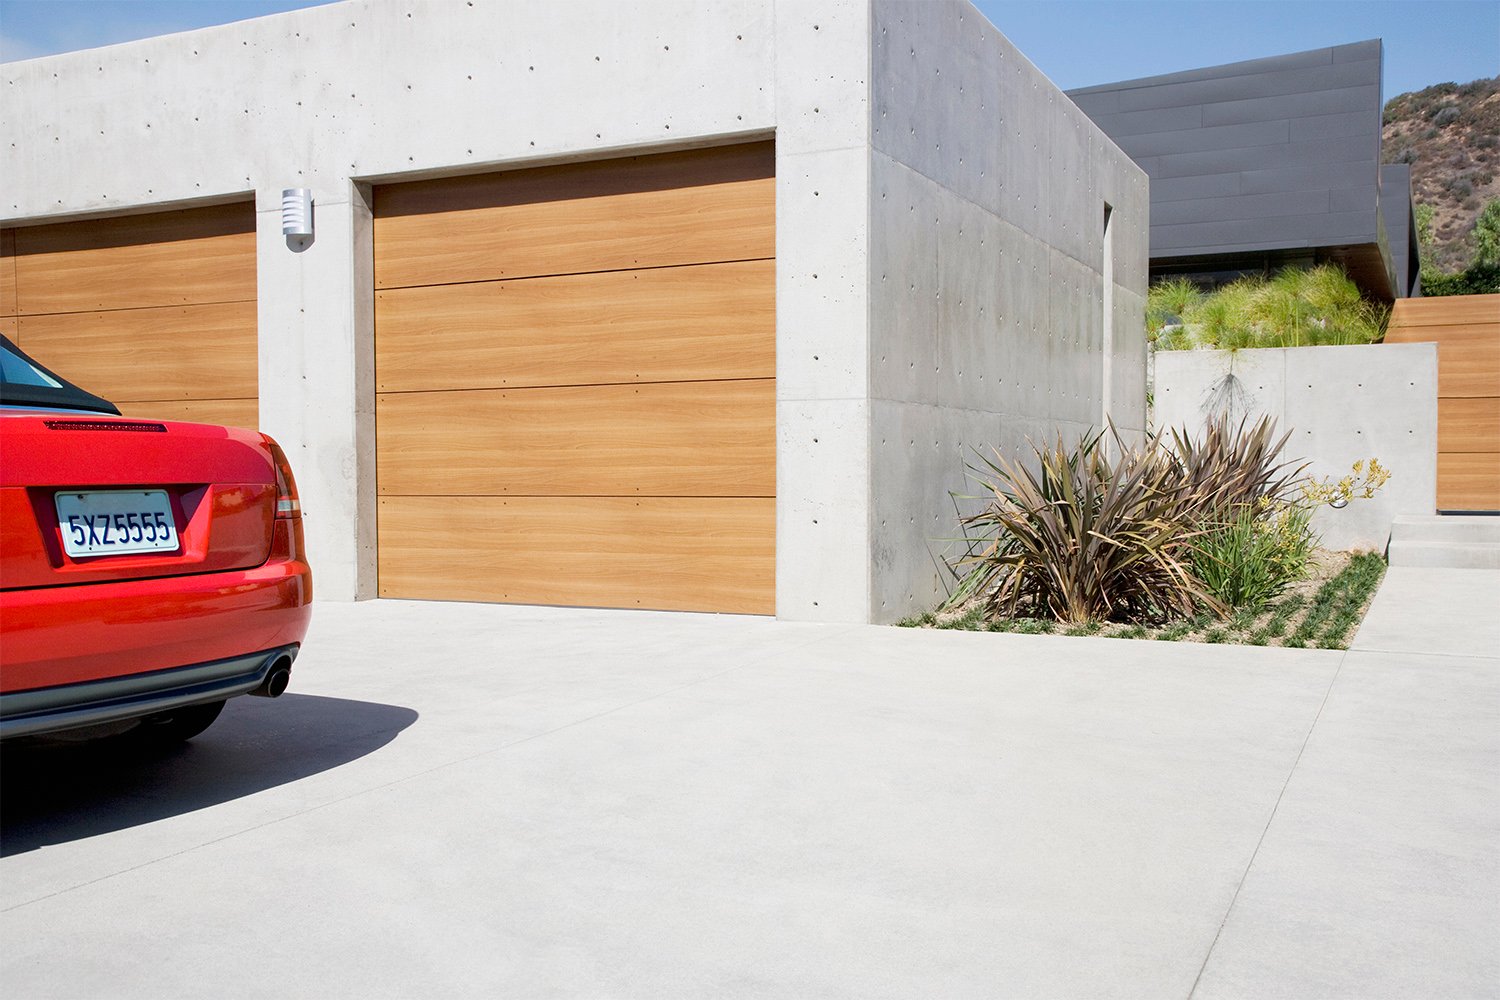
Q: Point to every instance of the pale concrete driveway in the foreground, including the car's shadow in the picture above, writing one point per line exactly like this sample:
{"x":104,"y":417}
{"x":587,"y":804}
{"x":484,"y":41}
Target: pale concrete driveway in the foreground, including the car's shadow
{"x":478,"y":801}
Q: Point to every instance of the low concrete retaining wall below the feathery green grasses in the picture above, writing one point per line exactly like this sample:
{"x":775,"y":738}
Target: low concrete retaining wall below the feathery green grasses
{"x":1342,"y":406}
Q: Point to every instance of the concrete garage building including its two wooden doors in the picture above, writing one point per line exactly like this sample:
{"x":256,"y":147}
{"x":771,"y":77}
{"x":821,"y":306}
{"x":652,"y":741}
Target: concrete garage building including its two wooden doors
{"x":677,"y":305}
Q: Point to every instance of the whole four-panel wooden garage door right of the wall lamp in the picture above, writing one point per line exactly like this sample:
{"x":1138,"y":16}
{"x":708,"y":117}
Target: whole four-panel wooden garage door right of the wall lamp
{"x":577,"y":385}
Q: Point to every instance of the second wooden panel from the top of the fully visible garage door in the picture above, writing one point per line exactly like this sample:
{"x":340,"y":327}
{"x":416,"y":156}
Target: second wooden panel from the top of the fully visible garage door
{"x":664,"y":325}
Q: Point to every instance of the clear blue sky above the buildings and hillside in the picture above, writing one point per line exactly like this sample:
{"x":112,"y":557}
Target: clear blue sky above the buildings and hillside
{"x":1075,"y":43}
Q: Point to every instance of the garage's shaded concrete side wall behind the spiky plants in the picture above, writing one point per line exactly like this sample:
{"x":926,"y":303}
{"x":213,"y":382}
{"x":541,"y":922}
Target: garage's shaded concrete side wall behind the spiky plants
{"x":988,"y":289}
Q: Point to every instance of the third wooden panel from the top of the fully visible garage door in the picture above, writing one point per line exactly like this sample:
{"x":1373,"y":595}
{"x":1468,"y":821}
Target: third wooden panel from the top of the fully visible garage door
{"x":653,"y":440}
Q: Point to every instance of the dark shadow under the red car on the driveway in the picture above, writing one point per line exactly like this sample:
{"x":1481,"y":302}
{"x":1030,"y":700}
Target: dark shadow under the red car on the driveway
{"x":56,"y":792}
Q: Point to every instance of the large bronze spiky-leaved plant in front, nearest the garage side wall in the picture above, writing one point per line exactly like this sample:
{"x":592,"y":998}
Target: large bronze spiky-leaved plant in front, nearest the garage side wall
{"x":1081,"y":537}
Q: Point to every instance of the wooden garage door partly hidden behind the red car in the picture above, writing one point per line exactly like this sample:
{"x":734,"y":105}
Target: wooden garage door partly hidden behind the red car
{"x":154,"y":313}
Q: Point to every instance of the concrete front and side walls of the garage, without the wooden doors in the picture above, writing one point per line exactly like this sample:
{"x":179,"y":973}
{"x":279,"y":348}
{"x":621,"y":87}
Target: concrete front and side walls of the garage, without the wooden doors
{"x":346,"y":97}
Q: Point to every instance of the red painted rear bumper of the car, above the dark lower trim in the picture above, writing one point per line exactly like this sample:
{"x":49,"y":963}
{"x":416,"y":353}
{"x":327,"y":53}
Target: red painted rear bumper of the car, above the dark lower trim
{"x":100,"y":632}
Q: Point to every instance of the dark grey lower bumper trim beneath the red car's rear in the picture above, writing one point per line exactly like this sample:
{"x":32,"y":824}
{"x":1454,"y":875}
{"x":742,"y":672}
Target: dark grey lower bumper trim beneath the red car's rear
{"x":116,"y":699}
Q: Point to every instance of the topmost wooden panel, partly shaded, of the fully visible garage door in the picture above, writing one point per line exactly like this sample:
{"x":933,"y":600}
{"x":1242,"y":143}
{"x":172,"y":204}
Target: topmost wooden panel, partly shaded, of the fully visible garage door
{"x":613,"y":215}
